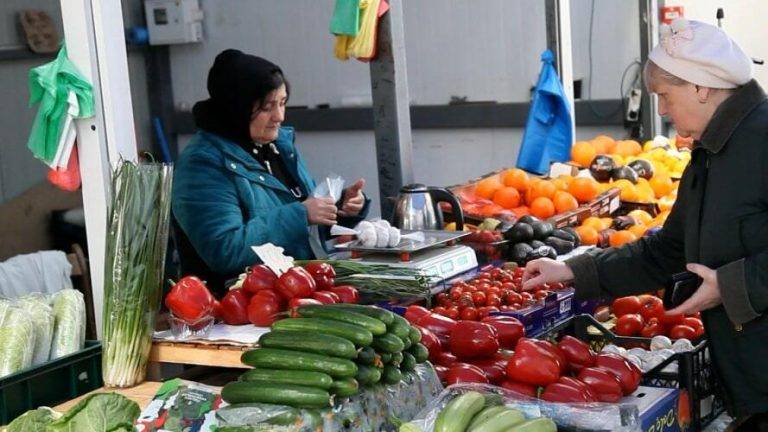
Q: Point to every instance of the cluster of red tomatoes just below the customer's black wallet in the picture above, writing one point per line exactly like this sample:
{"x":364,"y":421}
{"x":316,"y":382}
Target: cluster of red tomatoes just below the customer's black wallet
{"x":645,"y":316}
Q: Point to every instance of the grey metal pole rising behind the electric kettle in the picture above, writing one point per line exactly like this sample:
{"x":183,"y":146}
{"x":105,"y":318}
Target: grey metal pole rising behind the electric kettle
{"x":391,"y":108}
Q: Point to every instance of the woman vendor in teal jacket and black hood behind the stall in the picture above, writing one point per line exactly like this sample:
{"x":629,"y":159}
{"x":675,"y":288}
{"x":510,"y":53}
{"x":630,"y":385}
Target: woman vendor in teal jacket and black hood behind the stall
{"x":241,"y":181}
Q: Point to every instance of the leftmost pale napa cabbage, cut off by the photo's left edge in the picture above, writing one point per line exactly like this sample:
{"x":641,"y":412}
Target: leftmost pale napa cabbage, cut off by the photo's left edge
{"x":17,"y":341}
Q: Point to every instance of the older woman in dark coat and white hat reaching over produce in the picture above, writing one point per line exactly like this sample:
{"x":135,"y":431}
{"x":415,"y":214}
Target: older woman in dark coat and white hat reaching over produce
{"x":718,"y":228}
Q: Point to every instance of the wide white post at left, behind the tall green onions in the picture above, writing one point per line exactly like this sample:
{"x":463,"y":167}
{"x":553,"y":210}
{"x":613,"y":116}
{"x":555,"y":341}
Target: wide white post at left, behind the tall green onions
{"x":93,"y":32}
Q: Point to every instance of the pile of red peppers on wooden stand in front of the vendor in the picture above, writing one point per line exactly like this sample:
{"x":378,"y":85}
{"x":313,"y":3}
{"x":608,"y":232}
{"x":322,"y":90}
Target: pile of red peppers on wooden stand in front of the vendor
{"x":261,"y":297}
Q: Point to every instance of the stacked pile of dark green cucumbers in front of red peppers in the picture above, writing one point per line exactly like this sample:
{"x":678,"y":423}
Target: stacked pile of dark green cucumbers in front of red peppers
{"x":327,"y":351}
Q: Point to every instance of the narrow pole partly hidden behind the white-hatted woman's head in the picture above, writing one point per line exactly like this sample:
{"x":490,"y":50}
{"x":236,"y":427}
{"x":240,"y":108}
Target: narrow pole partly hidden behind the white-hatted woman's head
{"x":651,"y":124}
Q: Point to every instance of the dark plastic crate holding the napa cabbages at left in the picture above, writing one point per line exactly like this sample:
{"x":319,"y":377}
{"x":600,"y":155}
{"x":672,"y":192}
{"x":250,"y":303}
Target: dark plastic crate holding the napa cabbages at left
{"x":51,"y":383}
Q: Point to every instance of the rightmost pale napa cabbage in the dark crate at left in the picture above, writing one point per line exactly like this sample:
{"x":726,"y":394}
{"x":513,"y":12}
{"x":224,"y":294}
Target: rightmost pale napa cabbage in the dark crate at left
{"x":69,"y":323}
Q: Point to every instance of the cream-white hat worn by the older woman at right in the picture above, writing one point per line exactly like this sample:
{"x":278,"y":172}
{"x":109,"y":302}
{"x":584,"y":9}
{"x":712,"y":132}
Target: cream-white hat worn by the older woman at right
{"x":701,"y":54}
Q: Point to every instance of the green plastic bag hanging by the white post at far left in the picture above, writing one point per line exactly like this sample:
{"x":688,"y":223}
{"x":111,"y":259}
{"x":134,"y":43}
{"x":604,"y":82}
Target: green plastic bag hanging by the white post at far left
{"x":50,"y":85}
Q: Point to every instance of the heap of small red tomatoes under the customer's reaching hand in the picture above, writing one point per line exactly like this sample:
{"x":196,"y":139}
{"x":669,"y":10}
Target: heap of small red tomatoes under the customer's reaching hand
{"x":493,"y":290}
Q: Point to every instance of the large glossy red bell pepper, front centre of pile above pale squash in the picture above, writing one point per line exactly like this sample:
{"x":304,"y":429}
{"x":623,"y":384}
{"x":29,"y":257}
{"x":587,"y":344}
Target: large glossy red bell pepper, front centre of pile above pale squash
{"x":532,"y":364}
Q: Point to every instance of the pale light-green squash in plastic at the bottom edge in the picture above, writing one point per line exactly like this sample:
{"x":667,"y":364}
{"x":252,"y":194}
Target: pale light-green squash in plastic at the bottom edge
{"x":475,"y":412}
